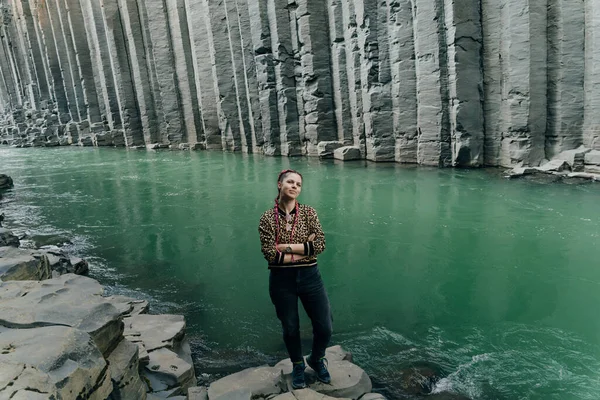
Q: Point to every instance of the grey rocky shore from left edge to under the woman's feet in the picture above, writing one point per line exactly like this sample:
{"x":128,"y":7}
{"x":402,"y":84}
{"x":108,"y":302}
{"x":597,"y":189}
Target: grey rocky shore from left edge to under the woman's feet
{"x":62,"y":338}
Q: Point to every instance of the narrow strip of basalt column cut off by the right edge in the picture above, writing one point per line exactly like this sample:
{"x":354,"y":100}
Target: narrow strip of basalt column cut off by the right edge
{"x":591,"y":127}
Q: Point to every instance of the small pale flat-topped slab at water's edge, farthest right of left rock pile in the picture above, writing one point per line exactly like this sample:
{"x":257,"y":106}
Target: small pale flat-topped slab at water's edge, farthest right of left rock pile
{"x":155,"y":331}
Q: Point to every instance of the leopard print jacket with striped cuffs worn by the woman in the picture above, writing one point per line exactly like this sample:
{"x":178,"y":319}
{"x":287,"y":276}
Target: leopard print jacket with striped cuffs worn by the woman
{"x":308,"y":223}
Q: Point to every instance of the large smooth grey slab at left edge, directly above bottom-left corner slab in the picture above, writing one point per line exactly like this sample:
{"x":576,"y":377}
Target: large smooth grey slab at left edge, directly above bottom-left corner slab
{"x":69,"y":300}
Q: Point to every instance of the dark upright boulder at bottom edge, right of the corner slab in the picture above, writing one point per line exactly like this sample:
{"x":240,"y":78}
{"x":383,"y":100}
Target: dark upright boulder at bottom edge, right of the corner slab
{"x":124,"y":372}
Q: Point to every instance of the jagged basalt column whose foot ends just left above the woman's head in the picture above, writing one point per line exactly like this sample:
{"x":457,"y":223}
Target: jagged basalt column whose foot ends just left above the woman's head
{"x":265,"y":77}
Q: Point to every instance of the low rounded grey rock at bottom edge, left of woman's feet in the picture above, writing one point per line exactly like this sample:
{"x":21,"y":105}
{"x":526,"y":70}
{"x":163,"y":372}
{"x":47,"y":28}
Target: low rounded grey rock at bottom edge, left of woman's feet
{"x":247,"y":384}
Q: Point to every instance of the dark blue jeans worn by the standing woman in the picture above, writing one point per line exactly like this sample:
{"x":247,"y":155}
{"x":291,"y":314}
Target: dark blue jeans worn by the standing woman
{"x":286,"y":285}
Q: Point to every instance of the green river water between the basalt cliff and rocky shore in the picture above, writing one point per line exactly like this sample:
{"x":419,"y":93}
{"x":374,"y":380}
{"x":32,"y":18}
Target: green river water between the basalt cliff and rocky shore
{"x":494,"y":282}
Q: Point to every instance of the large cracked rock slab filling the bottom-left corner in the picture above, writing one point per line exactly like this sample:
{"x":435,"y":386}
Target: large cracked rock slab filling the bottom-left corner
{"x":54,"y":362}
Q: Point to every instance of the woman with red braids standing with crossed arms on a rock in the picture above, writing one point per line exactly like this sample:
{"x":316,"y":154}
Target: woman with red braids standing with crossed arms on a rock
{"x":291,"y":237}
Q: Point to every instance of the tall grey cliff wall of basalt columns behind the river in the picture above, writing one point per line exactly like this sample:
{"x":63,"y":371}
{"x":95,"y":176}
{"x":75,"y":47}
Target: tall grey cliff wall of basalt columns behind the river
{"x":433,"y":82}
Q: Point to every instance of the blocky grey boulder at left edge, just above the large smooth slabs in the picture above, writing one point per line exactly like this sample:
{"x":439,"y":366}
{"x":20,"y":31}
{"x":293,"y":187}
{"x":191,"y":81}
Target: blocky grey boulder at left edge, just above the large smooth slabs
{"x":20,"y":264}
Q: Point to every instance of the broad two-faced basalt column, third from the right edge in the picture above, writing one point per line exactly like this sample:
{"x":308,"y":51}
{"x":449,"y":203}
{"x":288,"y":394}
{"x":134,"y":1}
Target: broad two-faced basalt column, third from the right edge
{"x":524,"y":90}
